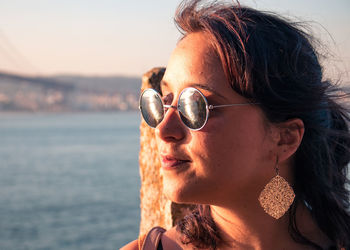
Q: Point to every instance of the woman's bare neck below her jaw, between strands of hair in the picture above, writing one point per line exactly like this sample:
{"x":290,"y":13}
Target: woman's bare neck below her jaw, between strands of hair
{"x":251,"y":228}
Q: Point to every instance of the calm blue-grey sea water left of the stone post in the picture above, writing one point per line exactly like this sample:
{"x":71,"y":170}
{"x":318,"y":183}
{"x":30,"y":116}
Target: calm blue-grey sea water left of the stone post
{"x":69,"y":181}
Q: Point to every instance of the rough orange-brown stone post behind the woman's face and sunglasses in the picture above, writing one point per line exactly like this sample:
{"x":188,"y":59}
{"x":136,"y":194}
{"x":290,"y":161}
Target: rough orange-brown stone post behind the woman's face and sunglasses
{"x":156,"y":209}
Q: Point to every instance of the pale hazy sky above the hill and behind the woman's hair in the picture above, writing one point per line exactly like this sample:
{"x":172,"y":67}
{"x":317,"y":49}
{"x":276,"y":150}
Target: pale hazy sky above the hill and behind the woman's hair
{"x":115,"y":37}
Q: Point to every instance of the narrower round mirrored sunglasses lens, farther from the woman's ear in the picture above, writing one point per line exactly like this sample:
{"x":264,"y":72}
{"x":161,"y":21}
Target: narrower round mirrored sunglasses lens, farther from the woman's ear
{"x":151,"y":107}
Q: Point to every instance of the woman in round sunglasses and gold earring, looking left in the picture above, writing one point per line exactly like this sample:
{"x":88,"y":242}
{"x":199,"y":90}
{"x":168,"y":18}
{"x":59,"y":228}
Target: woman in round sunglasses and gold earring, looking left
{"x":248,"y":129}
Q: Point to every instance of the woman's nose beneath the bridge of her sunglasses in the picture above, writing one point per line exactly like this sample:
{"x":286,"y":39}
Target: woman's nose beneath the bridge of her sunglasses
{"x":171,"y":129}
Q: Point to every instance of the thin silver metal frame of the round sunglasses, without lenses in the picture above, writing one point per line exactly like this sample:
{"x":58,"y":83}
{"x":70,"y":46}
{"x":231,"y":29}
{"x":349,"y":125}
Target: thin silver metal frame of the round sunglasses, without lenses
{"x":207,"y":106}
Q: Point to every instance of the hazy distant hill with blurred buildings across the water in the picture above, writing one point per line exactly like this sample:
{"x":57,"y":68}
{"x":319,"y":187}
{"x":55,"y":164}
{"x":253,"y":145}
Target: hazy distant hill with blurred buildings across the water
{"x":68,"y":93}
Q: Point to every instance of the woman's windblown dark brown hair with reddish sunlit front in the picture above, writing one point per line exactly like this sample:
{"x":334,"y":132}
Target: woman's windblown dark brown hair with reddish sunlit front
{"x":271,"y":60}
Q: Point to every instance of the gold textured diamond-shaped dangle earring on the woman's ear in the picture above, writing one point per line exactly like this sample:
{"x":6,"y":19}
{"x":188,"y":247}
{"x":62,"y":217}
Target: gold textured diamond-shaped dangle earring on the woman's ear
{"x":277,"y":196}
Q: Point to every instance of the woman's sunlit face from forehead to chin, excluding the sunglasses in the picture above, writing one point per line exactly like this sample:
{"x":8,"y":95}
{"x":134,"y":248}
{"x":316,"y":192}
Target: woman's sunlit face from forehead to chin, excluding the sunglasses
{"x":230,"y":158}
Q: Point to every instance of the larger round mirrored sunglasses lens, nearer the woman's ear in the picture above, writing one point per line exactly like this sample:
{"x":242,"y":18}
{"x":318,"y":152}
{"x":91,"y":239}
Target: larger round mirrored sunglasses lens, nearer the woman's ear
{"x":193,"y":108}
